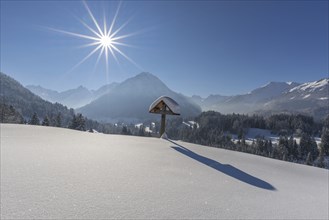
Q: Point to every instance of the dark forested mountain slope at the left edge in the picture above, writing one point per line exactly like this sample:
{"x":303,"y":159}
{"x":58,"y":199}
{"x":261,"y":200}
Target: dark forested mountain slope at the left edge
{"x":26,"y":103}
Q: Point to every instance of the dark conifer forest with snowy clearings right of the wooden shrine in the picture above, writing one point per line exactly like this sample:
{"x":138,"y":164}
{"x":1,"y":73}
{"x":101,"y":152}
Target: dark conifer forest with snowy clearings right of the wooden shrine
{"x":216,"y":130}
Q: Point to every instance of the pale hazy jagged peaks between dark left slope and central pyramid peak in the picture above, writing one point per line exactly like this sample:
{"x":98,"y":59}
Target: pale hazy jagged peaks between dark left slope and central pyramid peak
{"x":73,"y":98}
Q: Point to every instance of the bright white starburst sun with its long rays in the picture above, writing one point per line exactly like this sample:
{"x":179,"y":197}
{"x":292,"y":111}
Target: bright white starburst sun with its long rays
{"x":105,"y":40}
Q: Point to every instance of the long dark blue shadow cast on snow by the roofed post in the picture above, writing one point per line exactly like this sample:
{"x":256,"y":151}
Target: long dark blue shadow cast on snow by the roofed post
{"x":225,"y":168}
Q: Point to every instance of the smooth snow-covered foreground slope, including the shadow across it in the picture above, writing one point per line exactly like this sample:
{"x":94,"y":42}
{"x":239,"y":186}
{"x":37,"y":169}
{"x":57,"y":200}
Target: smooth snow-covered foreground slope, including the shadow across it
{"x":60,"y":173}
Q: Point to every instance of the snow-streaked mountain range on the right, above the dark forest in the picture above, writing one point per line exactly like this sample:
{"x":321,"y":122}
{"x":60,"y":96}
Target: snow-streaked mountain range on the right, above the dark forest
{"x":275,"y":97}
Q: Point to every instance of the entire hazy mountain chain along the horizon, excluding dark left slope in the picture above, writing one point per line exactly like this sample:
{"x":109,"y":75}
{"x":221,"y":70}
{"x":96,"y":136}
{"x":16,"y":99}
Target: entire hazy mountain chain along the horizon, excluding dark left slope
{"x":309,"y":98}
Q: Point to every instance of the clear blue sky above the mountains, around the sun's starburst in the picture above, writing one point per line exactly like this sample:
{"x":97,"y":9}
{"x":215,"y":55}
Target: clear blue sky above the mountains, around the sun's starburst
{"x":195,"y":47}
